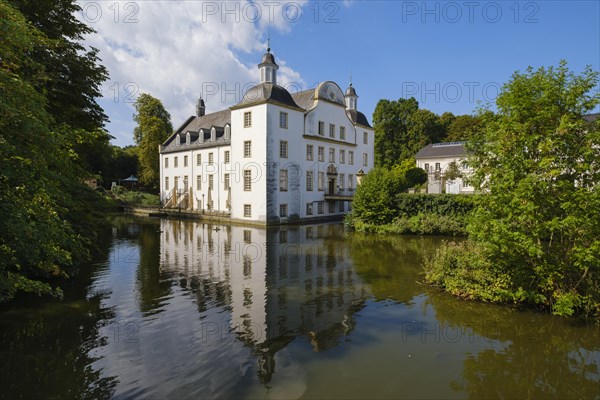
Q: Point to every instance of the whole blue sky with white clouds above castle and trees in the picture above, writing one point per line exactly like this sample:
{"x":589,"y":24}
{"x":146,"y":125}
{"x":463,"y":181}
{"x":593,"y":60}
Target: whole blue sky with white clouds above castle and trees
{"x":448,"y":55}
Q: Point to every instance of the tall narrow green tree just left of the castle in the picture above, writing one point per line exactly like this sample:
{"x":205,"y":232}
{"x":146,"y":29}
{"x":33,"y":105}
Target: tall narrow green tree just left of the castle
{"x":153,"y":128}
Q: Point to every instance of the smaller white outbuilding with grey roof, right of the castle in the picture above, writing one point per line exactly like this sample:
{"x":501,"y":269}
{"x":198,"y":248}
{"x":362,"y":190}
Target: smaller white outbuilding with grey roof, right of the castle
{"x":436,"y":159}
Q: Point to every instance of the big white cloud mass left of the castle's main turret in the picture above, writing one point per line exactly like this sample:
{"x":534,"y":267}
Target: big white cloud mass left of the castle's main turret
{"x":177,"y":50}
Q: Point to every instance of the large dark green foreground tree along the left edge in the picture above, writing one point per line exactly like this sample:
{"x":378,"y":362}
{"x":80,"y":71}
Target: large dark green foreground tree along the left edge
{"x":46,"y":226}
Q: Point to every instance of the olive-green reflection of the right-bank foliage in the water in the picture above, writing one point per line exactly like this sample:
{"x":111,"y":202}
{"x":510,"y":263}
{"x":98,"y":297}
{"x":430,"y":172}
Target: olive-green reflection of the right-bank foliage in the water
{"x":535,"y":356}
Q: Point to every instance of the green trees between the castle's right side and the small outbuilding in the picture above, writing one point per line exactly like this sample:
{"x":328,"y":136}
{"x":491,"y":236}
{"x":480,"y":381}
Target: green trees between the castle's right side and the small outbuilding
{"x":402,"y":129}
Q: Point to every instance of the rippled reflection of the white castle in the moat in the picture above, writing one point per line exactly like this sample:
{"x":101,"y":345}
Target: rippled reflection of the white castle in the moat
{"x":278,"y":284}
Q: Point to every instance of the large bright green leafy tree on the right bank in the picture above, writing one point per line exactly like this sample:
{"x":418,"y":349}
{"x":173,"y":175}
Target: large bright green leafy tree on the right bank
{"x":539,"y":224}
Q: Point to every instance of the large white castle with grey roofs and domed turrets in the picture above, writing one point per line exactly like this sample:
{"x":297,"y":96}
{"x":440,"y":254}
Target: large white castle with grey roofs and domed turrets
{"x":273,"y":157}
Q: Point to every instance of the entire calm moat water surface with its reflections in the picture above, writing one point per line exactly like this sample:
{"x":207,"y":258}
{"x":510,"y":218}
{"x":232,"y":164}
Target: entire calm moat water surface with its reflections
{"x":182,"y":309}
